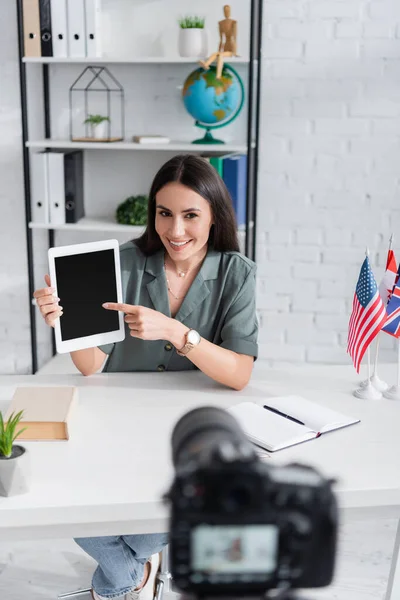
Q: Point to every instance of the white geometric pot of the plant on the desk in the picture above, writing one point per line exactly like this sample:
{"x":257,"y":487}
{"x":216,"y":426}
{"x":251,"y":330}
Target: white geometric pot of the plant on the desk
{"x":15,"y":472}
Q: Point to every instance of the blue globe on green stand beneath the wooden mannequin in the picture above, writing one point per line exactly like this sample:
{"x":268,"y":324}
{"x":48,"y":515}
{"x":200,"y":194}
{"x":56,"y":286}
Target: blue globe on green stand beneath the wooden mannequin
{"x":213,"y":102}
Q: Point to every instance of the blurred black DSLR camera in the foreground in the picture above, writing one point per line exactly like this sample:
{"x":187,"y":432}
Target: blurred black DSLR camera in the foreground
{"x":240,"y":527}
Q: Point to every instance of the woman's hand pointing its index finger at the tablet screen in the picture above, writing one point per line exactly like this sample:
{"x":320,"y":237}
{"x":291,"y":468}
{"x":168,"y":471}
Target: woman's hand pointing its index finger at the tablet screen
{"x":144,"y":323}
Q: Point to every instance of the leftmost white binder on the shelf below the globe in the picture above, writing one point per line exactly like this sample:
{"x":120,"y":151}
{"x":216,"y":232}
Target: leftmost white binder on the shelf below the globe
{"x":39,"y":188}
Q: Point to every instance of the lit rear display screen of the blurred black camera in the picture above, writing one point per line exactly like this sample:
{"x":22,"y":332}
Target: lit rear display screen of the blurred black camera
{"x":230,"y":549}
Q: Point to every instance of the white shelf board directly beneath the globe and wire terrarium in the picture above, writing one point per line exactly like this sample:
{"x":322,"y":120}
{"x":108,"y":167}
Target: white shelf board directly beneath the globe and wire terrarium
{"x":171,"y":147}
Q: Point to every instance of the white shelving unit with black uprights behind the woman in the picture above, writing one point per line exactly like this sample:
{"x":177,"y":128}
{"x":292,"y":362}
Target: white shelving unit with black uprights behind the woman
{"x":140,"y":49}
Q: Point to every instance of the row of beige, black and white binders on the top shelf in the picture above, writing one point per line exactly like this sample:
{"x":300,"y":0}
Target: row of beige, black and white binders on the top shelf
{"x":62,"y":28}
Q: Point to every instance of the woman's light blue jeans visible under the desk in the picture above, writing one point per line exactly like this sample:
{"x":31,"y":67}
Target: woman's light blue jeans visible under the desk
{"x":121,"y":560}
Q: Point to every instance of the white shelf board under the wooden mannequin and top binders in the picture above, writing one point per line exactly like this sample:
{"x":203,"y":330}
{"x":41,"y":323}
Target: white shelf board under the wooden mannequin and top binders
{"x":120,"y":60}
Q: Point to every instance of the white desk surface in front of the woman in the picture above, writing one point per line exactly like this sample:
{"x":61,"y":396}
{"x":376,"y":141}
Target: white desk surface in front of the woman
{"x":110,"y":476}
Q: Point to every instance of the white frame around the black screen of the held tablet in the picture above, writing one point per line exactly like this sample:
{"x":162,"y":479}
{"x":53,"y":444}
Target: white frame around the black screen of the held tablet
{"x":98,"y":339}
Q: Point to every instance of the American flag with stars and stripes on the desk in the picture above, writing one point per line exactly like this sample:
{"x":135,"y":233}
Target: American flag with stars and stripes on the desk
{"x":367,"y":317}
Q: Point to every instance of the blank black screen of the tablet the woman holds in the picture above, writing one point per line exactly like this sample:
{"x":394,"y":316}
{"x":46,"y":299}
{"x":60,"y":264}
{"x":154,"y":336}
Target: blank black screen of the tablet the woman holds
{"x":84,"y":283}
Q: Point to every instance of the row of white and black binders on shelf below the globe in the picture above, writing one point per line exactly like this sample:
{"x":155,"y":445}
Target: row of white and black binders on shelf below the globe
{"x":57,"y":187}
